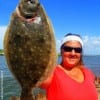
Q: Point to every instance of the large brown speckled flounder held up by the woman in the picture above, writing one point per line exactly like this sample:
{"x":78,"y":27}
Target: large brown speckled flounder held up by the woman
{"x":29,"y":46}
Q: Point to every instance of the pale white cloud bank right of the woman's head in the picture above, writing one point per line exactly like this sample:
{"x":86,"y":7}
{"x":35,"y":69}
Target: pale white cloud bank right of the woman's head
{"x":92,"y":45}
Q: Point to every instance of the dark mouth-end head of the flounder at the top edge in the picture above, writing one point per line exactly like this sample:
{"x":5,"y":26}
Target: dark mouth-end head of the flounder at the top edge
{"x":28,"y":8}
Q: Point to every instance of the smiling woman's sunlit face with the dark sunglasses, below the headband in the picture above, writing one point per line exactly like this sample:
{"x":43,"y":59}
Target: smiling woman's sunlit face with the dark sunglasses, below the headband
{"x":71,"y":54}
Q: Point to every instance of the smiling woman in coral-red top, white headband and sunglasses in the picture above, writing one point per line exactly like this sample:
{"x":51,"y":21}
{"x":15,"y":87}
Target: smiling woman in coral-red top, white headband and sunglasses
{"x":71,"y":80}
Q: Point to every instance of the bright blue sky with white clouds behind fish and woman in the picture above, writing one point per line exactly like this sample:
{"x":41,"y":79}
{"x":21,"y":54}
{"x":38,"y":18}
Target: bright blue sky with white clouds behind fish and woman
{"x":75,"y":16}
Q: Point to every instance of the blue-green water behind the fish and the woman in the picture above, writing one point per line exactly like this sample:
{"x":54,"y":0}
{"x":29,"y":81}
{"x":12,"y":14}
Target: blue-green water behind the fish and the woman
{"x":10,"y":87}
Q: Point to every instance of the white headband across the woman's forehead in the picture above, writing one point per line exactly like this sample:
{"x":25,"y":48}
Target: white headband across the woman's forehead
{"x":72,"y":38}
